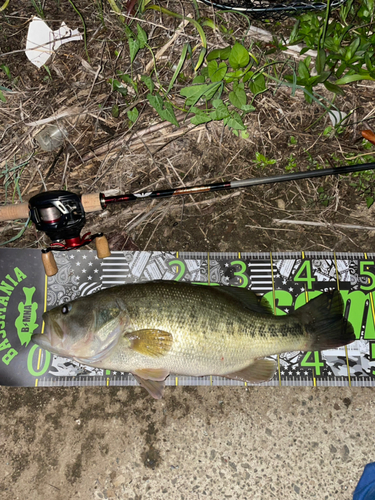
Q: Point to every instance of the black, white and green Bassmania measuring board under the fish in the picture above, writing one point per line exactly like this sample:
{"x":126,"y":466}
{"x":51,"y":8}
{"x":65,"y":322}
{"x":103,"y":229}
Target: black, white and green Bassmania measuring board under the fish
{"x":287,"y":280}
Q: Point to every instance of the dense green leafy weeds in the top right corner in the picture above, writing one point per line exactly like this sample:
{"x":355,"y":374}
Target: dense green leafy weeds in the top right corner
{"x":345,"y":53}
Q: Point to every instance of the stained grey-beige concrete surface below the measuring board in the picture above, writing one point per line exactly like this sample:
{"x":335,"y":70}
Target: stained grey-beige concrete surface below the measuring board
{"x":196,"y":443}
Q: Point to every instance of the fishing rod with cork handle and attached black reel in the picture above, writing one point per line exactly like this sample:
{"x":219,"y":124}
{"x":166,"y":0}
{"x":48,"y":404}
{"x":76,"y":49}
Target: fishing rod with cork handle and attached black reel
{"x":61,"y":214}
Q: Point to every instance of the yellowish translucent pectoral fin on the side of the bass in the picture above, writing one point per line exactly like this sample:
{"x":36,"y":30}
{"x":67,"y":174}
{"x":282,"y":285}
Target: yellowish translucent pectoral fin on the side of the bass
{"x":152,"y":342}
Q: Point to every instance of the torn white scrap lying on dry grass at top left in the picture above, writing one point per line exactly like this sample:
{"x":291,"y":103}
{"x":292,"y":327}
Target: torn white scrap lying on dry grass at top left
{"x":42,"y":42}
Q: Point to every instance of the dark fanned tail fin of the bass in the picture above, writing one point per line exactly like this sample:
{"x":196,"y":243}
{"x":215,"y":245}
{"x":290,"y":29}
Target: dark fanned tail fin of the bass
{"x":324,"y":323}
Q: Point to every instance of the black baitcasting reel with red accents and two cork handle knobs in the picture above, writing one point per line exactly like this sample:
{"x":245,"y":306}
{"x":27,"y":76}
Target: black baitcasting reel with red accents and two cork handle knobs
{"x":60,"y":214}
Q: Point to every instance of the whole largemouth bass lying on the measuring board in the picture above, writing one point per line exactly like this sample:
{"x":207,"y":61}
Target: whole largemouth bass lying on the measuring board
{"x":157,"y":328}
